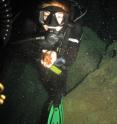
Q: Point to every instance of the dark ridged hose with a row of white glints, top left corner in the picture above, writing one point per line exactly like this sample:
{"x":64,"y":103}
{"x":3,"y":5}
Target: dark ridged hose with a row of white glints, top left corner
{"x":5,"y":22}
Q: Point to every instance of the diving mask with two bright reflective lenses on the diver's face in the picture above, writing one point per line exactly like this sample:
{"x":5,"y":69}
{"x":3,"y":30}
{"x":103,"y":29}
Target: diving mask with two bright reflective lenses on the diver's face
{"x":52,"y":20}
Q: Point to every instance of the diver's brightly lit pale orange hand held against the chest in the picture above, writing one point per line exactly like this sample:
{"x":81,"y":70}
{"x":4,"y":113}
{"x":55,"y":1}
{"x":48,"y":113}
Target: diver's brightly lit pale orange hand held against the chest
{"x":48,"y":58}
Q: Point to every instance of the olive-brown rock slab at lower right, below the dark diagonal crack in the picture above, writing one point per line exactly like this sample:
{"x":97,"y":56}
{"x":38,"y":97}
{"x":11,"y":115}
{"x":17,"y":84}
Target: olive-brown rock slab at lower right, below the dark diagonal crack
{"x":94,"y":101}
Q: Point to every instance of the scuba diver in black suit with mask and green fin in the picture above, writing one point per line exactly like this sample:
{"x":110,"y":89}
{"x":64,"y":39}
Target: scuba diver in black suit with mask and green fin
{"x":59,"y":43}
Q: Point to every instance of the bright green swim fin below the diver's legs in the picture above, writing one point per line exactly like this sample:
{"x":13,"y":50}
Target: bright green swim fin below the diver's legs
{"x":56,"y":114}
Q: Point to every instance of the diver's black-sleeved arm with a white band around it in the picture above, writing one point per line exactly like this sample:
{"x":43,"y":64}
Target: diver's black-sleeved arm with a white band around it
{"x":73,"y":44}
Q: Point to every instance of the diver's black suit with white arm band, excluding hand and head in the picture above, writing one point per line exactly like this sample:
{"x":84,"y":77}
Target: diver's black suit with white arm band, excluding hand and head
{"x":67,"y":49}
